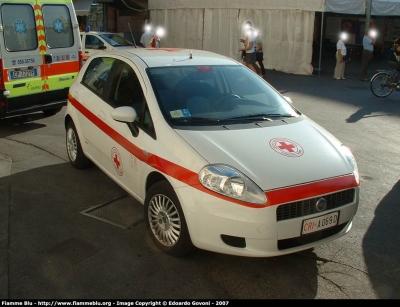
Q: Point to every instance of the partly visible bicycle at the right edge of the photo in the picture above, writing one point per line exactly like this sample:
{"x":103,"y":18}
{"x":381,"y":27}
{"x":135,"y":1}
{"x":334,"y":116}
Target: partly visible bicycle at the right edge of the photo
{"x":385,"y":81}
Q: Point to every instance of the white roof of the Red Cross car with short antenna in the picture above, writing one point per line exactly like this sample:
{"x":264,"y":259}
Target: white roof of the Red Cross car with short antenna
{"x":156,"y":57}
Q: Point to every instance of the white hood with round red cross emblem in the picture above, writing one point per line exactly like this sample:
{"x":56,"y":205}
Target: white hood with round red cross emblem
{"x":273,"y":157}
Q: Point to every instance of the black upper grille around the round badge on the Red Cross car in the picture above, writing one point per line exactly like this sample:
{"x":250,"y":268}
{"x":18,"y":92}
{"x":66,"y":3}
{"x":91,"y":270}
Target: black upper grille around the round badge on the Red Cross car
{"x":307,"y":206}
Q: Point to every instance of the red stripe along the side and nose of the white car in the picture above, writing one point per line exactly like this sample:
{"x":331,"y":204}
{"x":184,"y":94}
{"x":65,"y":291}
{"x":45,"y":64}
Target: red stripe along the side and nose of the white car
{"x":275,"y":197}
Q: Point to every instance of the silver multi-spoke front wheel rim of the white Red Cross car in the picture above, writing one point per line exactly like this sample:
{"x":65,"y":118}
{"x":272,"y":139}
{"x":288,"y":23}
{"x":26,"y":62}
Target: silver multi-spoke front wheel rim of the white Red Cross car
{"x":164,"y":219}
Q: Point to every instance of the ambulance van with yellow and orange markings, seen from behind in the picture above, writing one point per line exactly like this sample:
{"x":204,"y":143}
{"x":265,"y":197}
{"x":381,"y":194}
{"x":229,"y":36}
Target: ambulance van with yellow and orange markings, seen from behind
{"x":40,"y":55}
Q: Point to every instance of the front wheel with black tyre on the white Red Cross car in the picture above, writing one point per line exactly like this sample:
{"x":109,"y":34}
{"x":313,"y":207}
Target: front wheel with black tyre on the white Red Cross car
{"x":165,"y":220}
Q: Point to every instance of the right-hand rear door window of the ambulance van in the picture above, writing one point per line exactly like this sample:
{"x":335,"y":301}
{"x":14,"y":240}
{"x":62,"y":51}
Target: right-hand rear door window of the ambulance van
{"x":58,"y":26}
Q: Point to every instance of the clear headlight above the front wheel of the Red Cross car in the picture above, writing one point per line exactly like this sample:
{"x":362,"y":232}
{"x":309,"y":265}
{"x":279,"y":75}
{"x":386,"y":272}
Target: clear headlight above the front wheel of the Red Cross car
{"x":230,"y":182}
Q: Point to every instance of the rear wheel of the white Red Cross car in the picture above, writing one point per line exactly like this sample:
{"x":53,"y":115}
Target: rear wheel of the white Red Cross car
{"x":74,"y":148}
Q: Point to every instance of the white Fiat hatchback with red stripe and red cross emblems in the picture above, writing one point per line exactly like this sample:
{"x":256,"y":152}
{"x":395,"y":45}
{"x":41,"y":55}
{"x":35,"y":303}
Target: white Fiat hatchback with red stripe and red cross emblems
{"x":219,"y":159}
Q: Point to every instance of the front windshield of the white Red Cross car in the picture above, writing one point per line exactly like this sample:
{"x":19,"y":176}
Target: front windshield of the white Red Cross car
{"x":216,"y":94}
